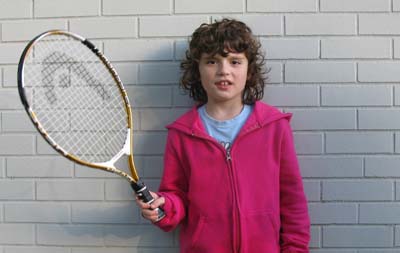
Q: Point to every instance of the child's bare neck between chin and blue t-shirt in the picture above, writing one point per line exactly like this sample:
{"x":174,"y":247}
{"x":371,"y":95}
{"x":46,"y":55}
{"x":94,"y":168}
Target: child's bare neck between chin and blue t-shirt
{"x":224,"y":111}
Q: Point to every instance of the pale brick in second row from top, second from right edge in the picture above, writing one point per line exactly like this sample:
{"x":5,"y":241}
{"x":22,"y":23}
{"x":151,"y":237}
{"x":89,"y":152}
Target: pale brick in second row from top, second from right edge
{"x":321,"y":24}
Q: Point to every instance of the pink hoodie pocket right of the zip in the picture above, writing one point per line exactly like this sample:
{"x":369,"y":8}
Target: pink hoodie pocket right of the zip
{"x":260,"y":232}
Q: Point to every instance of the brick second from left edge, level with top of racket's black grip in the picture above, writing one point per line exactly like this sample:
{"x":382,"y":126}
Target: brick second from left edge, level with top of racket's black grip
{"x":70,"y":190}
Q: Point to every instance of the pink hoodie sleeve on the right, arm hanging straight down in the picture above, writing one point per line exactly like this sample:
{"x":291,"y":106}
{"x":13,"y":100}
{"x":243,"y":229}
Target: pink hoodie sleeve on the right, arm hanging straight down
{"x":295,"y":222}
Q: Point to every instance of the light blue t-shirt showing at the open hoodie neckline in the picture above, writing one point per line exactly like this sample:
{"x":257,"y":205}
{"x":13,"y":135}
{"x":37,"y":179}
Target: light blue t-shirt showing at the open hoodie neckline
{"x":225,"y":131}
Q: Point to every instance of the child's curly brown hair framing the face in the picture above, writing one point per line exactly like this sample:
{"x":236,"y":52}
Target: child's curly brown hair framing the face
{"x":222,"y":37}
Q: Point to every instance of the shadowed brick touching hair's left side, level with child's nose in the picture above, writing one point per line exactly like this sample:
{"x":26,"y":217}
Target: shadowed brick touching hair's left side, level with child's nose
{"x":167,"y":73}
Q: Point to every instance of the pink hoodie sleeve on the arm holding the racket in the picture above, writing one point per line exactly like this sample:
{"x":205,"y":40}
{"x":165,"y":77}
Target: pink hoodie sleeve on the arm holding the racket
{"x":173,"y":187}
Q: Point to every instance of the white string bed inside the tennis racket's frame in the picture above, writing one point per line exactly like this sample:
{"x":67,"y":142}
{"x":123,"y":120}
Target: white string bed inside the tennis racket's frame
{"x":76,"y":99}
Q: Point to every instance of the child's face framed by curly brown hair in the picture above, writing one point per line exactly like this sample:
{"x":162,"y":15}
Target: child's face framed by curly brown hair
{"x":224,"y":78}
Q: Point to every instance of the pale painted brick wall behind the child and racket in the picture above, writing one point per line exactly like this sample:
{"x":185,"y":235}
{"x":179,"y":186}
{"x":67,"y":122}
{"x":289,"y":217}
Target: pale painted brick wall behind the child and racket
{"x":334,"y":64}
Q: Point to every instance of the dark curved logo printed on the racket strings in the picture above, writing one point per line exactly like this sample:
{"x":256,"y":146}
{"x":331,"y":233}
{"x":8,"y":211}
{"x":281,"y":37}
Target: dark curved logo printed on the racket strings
{"x":57,"y":61}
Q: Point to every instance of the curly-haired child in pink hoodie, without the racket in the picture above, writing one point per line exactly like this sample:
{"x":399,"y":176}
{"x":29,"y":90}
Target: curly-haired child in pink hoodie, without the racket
{"x":231,"y":177}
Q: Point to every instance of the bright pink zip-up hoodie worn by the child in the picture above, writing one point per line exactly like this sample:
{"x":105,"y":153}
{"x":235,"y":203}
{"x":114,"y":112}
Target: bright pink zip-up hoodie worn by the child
{"x":248,"y":200}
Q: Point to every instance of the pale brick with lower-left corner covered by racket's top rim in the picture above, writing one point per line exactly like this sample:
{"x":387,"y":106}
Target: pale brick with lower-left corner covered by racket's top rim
{"x":116,"y":27}
